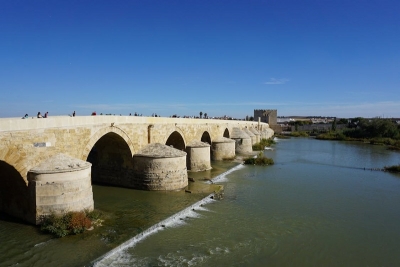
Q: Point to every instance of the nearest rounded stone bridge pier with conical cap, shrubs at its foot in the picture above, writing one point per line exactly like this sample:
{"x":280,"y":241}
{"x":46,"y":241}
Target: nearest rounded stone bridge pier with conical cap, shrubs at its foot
{"x":59,"y":185}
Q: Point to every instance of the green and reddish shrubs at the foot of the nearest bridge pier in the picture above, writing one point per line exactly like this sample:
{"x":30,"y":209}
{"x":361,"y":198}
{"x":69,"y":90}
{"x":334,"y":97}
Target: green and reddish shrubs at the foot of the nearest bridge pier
{"x":70,"y":223}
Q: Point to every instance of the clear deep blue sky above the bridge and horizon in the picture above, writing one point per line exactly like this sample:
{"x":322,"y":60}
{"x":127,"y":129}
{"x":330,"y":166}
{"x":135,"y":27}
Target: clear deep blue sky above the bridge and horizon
{"x":327,"y":58}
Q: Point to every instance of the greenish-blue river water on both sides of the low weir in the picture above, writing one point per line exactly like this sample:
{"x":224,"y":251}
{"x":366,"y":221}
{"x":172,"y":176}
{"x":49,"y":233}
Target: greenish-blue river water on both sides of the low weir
{"x":316,"y":206}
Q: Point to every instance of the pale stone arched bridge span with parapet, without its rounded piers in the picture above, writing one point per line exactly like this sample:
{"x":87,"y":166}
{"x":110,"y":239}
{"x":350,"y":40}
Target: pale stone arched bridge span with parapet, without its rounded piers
{"x":26,"y":143}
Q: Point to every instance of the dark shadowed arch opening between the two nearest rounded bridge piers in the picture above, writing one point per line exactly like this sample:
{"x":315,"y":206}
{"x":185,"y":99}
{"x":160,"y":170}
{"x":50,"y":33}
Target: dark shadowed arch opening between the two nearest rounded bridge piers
{"x":112,"y":162}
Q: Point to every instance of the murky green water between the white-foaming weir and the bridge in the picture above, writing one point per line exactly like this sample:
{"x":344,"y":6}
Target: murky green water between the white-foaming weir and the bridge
{"x":127,"y":212}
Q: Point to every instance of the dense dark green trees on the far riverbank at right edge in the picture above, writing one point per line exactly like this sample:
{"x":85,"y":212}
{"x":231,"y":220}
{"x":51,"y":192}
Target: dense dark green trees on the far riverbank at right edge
{"x":374,"y":131}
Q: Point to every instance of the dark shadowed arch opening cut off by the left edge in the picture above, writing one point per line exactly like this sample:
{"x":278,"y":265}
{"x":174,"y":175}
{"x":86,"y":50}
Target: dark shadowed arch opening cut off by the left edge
{"x":14,"y":192}
